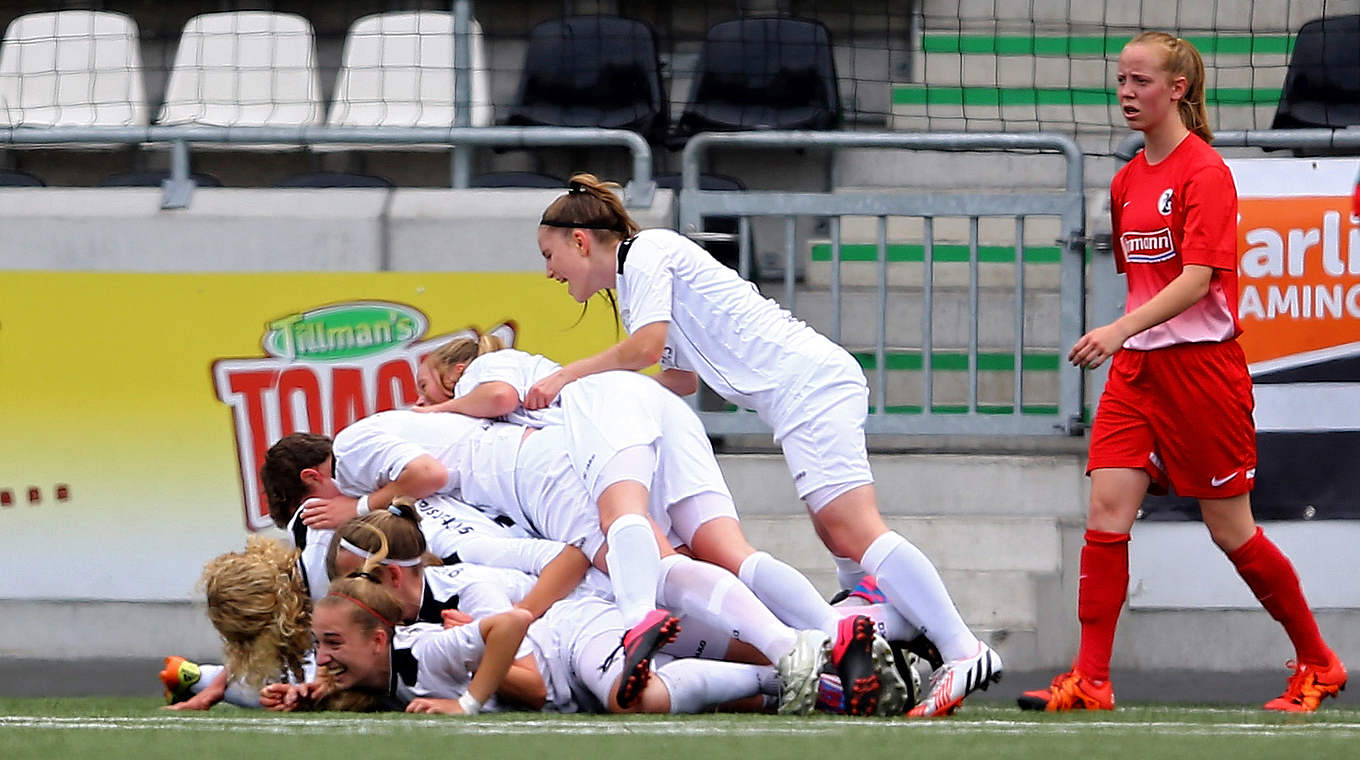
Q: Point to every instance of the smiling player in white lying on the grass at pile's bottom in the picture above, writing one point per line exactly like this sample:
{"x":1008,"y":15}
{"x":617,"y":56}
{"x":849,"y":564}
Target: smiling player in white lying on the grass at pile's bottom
{"x":562,"y":663}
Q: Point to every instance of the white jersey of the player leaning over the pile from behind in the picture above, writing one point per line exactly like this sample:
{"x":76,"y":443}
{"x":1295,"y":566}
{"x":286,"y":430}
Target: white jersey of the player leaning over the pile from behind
{"x":745,"y":346}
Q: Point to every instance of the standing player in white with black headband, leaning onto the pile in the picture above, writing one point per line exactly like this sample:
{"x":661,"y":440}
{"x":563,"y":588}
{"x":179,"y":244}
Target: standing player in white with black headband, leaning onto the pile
{"x":697,"y":317}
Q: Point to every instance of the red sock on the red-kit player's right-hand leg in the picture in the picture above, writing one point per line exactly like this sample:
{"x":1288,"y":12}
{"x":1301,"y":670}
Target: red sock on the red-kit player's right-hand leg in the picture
{"x":1276,"y":584}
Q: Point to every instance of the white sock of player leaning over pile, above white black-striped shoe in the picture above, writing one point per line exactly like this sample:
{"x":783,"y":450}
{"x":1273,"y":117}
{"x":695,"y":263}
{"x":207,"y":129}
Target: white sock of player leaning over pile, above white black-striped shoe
{"x":913,"y":585}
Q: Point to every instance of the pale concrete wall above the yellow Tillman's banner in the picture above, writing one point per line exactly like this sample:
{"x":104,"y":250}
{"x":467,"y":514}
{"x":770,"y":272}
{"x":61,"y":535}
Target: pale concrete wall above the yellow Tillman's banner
{"x":271,"y":230}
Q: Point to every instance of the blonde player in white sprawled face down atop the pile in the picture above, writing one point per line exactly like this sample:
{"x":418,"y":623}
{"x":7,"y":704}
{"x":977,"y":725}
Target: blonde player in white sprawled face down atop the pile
{"x":483,"y":379}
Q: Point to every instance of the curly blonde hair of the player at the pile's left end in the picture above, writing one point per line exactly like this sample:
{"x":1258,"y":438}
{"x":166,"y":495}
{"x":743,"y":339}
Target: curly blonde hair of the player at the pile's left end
{"x":258,"y":602}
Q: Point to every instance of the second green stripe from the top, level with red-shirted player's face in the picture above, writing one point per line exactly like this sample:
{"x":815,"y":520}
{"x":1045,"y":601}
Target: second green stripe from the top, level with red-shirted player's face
{"x":932,"y":96}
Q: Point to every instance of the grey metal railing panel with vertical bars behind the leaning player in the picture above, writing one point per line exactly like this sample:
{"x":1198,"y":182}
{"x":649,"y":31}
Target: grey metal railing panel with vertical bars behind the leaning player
{"x":1068,"y":205}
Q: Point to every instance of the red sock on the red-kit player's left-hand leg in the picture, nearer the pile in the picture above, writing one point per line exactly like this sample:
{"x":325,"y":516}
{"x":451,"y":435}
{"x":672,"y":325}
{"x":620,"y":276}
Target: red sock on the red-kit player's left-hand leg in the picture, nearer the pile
{"x":1101,"y":593}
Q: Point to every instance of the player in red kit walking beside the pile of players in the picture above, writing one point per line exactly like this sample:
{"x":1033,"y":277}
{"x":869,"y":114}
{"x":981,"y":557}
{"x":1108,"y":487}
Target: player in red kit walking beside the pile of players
{"x":1177,"y":407}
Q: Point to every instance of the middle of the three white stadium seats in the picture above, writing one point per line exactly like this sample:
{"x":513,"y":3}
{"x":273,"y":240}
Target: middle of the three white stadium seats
{"x":247,"y":69}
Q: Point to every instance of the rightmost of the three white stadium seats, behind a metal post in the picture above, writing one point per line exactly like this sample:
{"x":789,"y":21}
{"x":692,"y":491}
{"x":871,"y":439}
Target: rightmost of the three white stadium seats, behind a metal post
{"x":398,"y":71}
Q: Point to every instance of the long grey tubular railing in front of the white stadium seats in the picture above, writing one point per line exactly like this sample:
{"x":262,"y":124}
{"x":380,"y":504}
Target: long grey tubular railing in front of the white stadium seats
{"x":179,"y":188}
